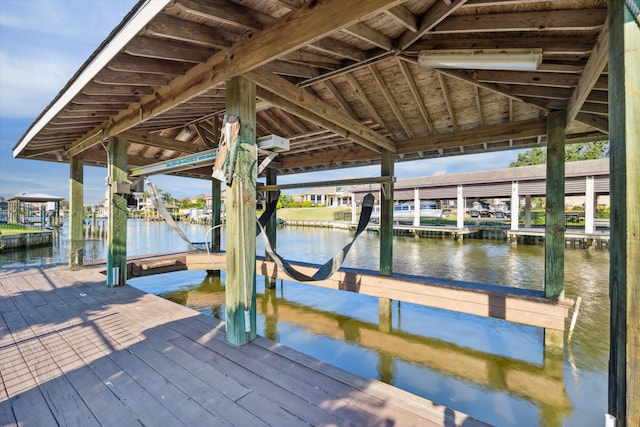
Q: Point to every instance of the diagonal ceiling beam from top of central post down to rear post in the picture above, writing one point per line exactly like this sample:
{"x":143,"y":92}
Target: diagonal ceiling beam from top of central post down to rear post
{"x":316,"y":106}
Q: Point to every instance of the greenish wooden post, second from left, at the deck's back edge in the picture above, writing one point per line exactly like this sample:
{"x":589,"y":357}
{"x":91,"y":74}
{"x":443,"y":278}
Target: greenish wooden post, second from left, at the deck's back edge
{"x":117,"y":235}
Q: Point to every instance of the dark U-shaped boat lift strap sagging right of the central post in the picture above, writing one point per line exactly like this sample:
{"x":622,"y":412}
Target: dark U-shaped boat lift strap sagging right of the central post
{"x":331,"y":266}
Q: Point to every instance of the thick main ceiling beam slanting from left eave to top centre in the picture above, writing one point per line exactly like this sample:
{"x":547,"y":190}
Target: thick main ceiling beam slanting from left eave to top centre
{"x":314,"y":21}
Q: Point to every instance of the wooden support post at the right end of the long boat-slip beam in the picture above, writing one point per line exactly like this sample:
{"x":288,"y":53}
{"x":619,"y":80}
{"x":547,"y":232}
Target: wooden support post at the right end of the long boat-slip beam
{"x":554,"y":227}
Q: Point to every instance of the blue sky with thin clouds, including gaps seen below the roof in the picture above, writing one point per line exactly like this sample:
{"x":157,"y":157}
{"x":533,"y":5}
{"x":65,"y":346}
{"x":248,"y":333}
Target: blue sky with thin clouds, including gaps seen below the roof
{"x":43,"y":43}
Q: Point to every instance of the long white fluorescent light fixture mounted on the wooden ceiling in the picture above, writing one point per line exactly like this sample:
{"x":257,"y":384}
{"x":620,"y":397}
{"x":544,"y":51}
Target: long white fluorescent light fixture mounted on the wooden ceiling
{"x":509,"y":60}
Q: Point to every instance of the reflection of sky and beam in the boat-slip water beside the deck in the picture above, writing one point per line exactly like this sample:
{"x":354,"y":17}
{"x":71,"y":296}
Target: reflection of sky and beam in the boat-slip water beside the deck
{"x":466,"y":371}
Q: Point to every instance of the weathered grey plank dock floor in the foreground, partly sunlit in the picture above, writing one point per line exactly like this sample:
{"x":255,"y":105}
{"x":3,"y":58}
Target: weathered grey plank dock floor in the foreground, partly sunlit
{"x":76,"y":353}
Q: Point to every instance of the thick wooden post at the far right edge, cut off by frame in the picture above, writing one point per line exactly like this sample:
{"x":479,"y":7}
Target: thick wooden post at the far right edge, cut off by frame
{"x":624,"y":287}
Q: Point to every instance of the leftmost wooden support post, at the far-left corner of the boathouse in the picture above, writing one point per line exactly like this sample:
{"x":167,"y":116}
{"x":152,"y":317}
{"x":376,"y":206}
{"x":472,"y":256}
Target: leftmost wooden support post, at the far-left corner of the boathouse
{"x":76,"y":211}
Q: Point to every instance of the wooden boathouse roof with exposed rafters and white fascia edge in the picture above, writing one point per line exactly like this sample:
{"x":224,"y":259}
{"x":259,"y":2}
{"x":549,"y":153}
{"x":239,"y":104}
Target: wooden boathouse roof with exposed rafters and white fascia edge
{"x":339,"y":78}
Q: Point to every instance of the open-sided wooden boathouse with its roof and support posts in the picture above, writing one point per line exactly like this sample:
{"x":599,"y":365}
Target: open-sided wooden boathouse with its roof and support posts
{"x":326,"y":84}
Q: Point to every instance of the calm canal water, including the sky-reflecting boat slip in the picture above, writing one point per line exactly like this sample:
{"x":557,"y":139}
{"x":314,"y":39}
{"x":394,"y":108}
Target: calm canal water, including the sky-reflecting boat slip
{"x":491,"y":369}
